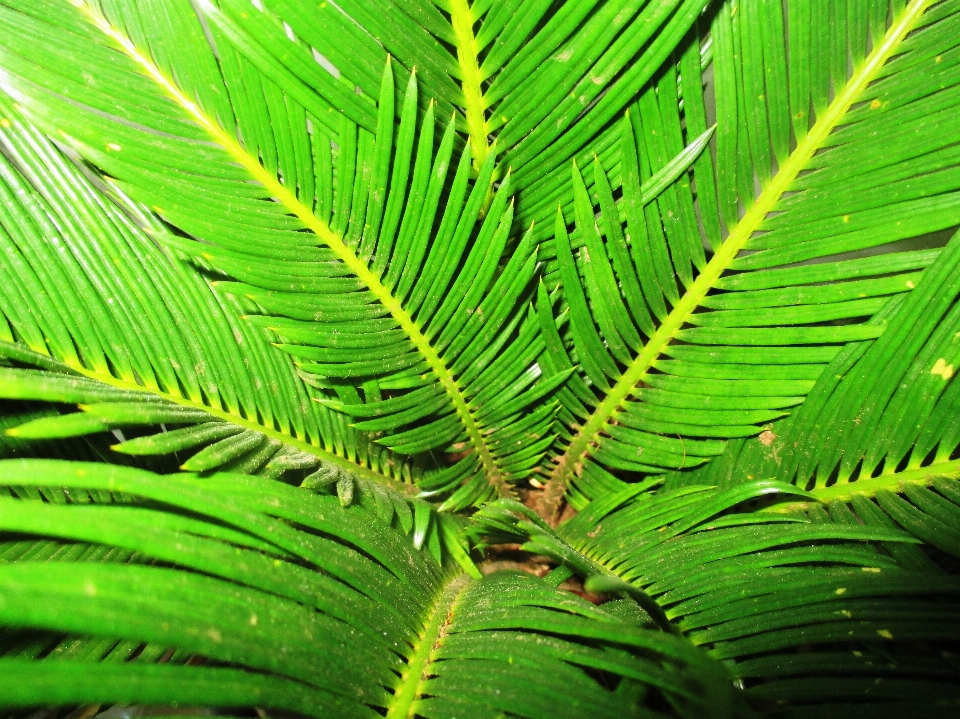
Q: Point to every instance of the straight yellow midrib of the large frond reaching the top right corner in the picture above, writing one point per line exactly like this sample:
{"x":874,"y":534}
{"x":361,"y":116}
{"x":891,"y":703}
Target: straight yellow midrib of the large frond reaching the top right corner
{"x":577,"y":451}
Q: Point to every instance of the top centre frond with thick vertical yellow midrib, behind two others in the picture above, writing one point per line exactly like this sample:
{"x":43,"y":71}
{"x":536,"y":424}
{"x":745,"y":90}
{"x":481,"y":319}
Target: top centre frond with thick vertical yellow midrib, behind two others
{"x":544,"y":80}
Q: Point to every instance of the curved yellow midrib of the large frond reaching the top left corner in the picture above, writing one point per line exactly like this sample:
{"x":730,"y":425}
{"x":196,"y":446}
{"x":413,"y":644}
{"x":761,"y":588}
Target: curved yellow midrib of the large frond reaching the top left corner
{"x":346,"y":255}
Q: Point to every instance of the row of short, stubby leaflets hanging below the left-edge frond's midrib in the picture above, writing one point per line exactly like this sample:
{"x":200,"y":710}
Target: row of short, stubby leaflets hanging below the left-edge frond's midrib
{"x":162,"y":428}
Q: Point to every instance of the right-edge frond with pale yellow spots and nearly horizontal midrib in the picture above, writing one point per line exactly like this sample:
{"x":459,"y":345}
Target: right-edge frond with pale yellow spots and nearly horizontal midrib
{"x":878,"y":433}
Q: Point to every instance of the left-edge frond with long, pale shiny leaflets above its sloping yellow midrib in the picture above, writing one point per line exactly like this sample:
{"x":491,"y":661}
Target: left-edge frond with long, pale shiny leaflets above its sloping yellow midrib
{"x":82,"y":283}
